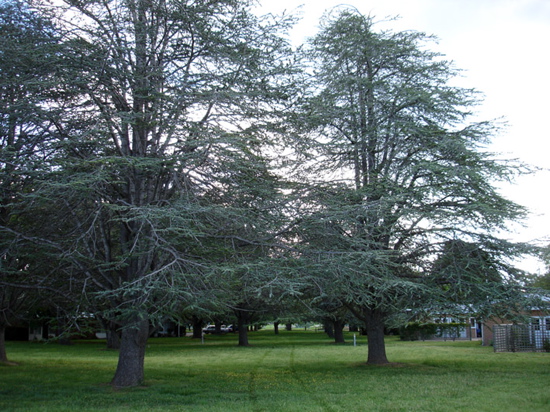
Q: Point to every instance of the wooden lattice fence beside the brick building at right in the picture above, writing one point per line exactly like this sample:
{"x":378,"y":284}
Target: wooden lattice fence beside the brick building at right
{"x":522,"y":338}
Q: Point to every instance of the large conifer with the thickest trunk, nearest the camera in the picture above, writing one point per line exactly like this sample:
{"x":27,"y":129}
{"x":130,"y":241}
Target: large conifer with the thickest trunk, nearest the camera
{"x":169,"y":99}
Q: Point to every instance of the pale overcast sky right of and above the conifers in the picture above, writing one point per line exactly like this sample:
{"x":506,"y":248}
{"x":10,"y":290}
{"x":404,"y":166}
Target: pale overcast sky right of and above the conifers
{"x":503,"y":48}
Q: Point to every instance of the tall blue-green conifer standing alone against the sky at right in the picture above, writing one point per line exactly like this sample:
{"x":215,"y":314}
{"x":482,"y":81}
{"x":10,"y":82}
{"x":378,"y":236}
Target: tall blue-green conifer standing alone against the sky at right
{"x":399,"y":172}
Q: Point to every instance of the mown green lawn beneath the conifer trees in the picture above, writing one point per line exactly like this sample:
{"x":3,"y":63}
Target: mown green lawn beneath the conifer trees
{"x":293,"y":371}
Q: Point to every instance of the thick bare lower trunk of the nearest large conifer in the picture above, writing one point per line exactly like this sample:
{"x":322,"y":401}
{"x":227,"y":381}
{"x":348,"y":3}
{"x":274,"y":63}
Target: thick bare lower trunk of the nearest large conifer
{"x":131,"y":358}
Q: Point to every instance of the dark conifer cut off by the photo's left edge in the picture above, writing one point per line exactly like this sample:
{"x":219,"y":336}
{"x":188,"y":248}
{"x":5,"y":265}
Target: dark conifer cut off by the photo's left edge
{"x":27,"y":55}
